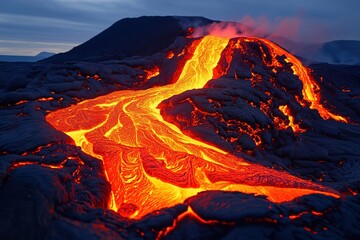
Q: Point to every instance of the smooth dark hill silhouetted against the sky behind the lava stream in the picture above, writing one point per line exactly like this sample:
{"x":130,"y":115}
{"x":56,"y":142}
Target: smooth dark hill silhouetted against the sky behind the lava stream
{"x":129,"y":37}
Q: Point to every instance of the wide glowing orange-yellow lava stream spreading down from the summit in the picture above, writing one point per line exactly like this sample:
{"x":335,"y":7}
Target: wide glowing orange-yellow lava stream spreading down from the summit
{"x":150,"y":163}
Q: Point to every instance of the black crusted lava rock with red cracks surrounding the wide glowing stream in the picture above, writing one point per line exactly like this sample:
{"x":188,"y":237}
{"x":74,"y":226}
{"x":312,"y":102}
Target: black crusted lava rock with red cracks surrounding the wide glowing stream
{"x":50,"y":189}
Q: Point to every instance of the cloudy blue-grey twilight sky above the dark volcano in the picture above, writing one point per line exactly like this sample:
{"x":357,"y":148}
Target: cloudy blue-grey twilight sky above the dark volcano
{"x":28,"y":27}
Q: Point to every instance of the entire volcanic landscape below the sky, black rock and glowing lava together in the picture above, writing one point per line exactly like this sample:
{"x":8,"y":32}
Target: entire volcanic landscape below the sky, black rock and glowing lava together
{"x":116,"y":139}
